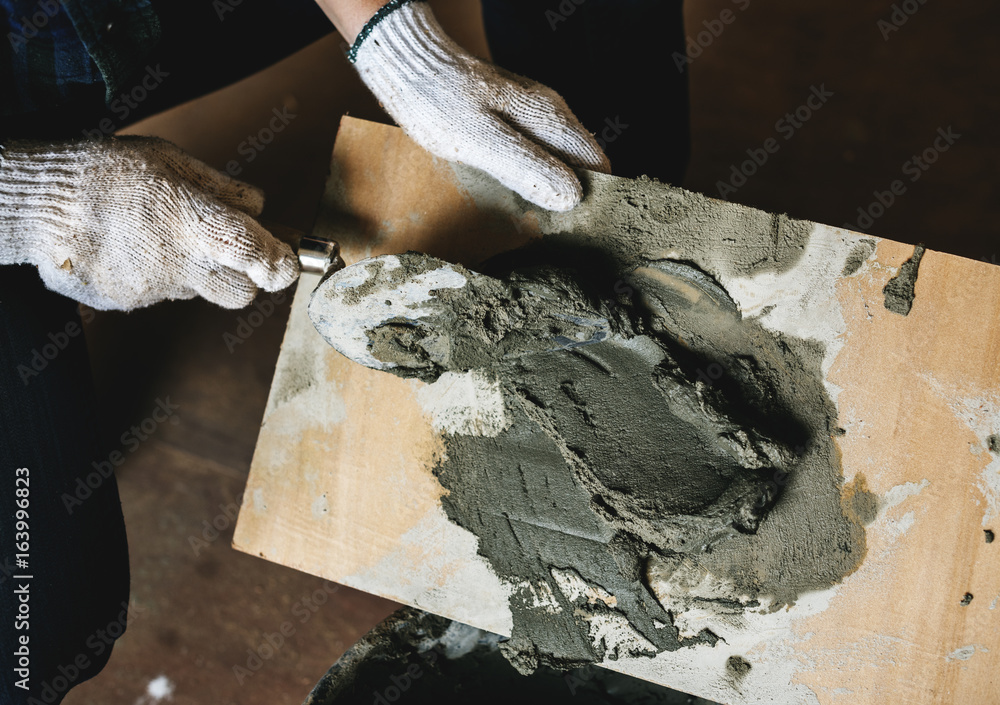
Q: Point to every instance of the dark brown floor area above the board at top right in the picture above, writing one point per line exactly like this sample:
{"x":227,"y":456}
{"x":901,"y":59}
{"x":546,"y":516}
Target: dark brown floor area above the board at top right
{"x":939,"y":70}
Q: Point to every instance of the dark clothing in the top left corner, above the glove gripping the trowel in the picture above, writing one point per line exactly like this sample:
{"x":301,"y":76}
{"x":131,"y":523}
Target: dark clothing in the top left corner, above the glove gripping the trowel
{"x":188,"y":48}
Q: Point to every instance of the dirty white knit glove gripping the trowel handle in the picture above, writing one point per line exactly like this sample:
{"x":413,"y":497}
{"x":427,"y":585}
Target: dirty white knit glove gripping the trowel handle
{"x":125,"y":222}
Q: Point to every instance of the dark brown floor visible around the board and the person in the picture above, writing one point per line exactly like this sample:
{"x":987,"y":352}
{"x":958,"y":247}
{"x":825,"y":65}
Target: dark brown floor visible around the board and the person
{"x":201,"y":606}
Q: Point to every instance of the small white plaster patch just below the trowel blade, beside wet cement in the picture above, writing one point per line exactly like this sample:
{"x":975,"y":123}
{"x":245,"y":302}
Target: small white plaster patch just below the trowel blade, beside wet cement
{"x":464,"y":403}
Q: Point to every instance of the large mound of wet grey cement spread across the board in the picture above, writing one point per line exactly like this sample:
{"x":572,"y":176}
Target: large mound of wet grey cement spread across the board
{"x":628,"y":497}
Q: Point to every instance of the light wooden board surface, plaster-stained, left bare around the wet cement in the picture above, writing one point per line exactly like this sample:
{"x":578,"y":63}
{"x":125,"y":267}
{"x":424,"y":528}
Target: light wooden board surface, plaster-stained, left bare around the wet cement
{"x":341,"y":483}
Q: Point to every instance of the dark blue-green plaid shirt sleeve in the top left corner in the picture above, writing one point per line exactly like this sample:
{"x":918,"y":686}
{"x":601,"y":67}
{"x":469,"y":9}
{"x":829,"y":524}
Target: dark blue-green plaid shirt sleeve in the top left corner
{"x":53,"y":50}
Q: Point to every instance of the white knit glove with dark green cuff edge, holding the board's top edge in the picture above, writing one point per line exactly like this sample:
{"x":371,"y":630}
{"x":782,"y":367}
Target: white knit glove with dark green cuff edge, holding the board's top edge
{"x":466,"y":110}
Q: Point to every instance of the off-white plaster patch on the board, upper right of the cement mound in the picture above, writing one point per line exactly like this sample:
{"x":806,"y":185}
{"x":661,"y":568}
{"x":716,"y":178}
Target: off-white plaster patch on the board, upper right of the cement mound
{"x":802,"y":301}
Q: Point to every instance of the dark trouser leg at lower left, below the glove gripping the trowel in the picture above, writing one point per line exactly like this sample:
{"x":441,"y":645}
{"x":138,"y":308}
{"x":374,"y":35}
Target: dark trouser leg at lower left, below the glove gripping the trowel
{"x":77,"y":555}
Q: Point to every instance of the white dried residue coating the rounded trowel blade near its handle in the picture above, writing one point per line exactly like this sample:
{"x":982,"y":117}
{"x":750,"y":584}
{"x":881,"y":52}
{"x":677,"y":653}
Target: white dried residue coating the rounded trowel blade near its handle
{"x":347,"y":322}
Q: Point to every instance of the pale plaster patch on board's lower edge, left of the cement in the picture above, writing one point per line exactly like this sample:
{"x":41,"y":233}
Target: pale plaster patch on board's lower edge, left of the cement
{"x":433,"y":562}
